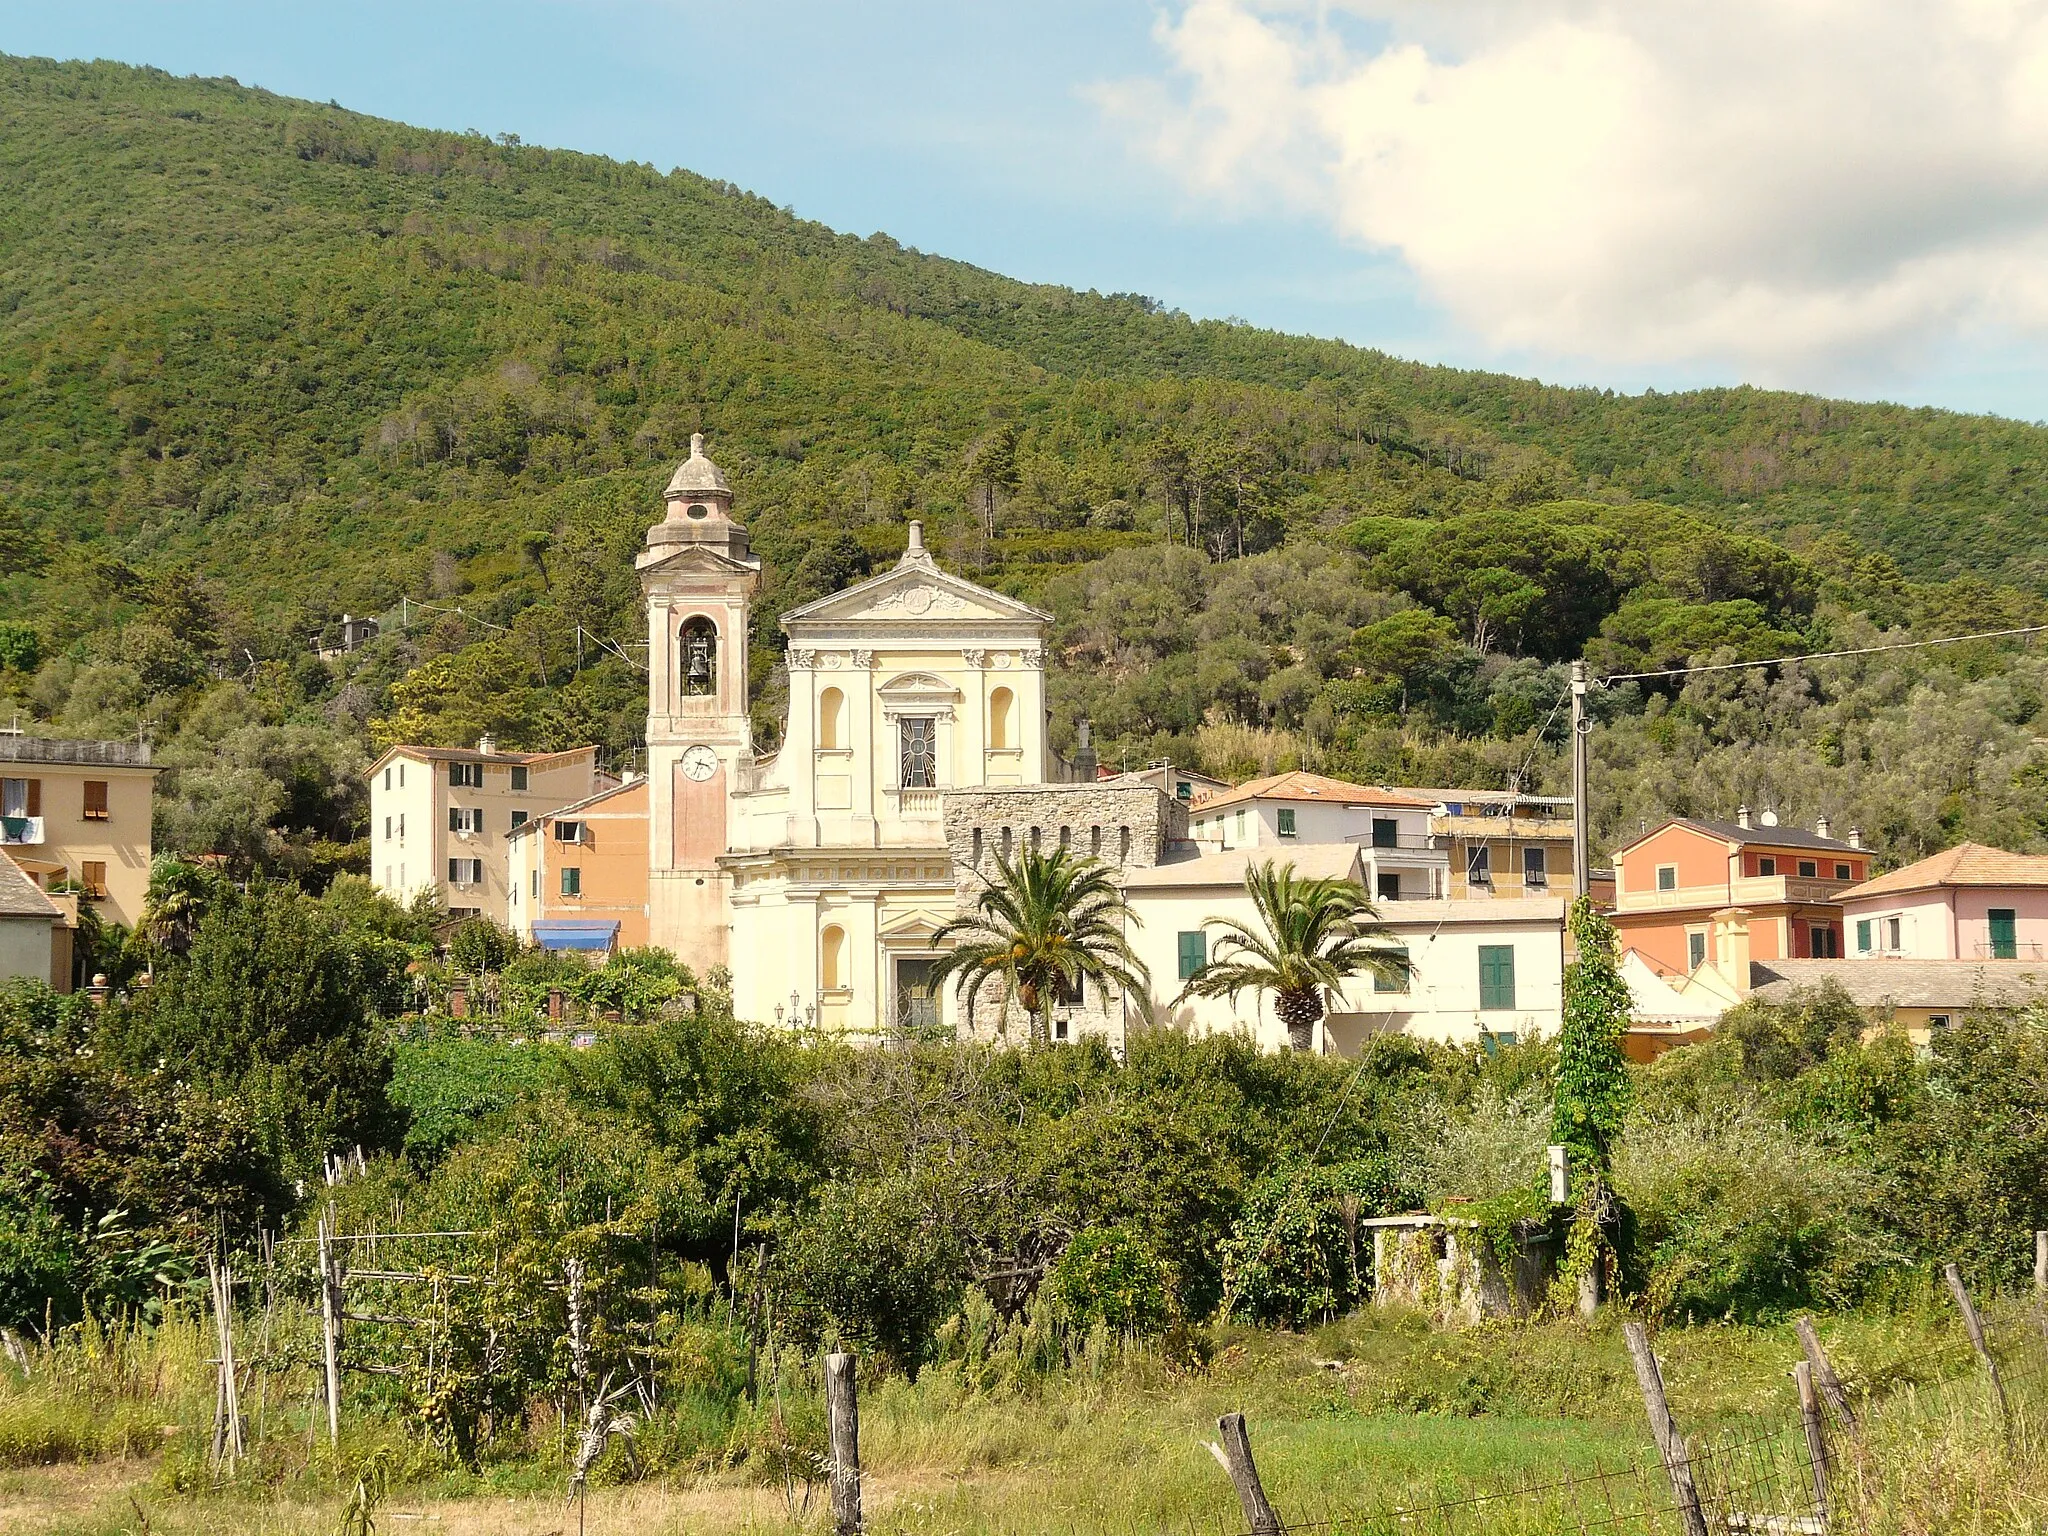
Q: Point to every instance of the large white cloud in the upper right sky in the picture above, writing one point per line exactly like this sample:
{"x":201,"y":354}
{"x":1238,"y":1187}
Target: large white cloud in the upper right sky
{"x":1781,"y":185}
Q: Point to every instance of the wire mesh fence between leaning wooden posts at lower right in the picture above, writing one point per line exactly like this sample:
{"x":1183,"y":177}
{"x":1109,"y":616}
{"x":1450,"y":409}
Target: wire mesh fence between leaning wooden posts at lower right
{"x":1830,"y":1467}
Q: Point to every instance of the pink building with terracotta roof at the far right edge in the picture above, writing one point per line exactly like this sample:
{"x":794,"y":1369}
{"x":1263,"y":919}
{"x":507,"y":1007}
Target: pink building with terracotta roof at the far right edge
{"x":1963,"y":904}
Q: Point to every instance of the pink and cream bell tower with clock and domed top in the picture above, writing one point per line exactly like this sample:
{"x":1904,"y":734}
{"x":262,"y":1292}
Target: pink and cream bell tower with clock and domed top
{"x":699,"y":579}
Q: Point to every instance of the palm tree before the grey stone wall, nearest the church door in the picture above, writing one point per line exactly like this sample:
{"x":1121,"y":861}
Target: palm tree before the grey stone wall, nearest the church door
{"x":1037,"y":929}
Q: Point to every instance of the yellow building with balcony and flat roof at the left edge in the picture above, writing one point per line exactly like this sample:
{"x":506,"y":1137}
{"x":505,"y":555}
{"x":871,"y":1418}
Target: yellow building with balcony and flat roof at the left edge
{"x":79,"y":812}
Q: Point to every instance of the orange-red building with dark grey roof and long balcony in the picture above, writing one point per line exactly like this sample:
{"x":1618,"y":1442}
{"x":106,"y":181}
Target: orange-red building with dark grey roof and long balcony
{"x":1670,"y":884}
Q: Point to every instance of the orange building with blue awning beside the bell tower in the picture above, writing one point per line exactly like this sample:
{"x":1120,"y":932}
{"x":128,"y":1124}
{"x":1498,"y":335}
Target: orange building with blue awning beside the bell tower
{"x":579,"y":876}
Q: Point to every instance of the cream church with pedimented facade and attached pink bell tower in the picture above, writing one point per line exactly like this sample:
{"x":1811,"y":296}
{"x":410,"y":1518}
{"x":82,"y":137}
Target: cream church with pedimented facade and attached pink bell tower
{"x":818,"y":873}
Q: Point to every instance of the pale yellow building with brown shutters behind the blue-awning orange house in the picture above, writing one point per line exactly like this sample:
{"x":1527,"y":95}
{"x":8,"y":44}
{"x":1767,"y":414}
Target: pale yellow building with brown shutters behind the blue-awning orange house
{"x":439,"y":818}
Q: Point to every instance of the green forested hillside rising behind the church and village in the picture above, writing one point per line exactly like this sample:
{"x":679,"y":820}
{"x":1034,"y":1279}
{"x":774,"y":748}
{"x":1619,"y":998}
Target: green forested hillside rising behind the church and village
{"x":267,"y":361}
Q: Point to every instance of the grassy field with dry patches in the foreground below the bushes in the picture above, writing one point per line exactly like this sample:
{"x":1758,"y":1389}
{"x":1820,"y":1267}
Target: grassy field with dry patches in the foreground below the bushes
{"x":110,"y":1435}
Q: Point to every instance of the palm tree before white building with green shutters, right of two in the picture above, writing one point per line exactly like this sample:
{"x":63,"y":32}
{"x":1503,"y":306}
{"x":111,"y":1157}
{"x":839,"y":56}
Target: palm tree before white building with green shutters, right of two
{"x":1316,"y":935}
